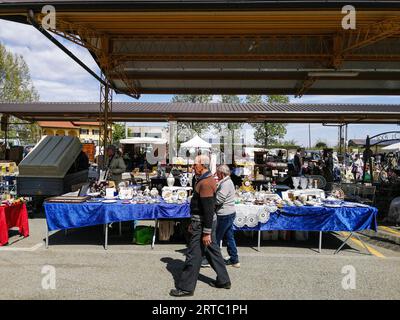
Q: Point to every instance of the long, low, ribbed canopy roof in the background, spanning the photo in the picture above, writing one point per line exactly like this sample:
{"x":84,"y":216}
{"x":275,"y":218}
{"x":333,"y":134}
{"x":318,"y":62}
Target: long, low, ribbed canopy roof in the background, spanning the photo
{"x":212,"y":112}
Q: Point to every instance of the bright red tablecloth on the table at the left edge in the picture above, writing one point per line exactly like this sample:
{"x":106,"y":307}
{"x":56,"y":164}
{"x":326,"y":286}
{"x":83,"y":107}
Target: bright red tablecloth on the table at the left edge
{"x":15,"y":215}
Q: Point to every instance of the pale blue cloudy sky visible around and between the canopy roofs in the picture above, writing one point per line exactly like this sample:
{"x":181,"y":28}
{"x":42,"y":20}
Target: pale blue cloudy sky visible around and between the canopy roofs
{"x":58,"y":78}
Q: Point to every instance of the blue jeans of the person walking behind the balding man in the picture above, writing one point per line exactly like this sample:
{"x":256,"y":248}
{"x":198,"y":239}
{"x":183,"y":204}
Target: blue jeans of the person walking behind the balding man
{"x":225,"y":229}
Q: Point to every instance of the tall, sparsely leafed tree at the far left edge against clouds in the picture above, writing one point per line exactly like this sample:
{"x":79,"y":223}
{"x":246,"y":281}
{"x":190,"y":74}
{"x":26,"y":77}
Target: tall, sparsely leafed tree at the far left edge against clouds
{"x":16,"y":86}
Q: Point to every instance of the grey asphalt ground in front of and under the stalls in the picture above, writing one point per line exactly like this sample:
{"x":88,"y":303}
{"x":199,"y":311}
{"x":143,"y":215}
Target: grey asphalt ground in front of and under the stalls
{"x":281,"y":270}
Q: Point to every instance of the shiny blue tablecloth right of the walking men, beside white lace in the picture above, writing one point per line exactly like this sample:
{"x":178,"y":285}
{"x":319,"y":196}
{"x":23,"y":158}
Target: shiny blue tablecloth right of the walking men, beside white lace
{"x":309,"y":218}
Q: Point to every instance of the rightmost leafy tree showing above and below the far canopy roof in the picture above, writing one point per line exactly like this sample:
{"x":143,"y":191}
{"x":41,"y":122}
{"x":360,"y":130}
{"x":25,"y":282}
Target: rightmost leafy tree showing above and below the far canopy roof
{"x":268,"y":133}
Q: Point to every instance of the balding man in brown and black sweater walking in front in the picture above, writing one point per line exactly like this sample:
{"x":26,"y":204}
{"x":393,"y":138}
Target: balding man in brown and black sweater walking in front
{"x":203,"y":240}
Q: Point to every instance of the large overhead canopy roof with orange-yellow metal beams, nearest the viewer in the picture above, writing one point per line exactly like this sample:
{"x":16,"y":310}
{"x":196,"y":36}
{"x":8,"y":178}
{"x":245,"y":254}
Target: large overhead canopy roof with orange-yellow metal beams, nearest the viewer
{"x":233,"y":47}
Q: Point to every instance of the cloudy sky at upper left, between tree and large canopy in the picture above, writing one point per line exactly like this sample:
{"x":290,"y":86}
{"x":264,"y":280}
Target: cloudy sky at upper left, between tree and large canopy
{"x":55,"y":75}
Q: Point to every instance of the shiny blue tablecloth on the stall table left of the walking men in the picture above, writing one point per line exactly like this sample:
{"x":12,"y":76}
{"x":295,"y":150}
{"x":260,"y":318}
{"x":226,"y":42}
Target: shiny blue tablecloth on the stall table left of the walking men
{"x":74,"y":215}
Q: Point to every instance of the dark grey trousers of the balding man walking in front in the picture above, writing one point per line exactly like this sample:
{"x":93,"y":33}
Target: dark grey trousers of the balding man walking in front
{"x":196,"y":250}
